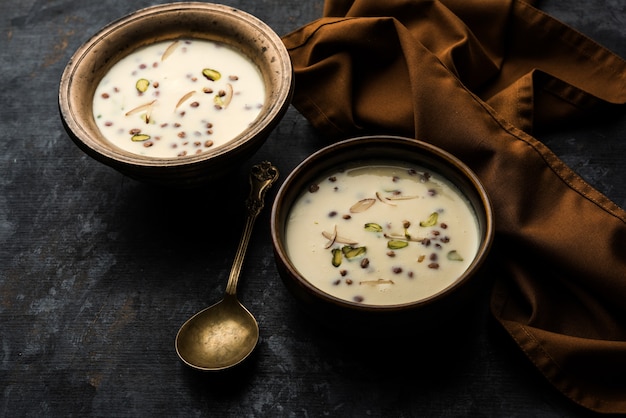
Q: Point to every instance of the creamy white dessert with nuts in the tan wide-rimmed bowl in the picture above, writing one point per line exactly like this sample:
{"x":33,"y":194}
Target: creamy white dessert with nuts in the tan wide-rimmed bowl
{"x":177,"y":98}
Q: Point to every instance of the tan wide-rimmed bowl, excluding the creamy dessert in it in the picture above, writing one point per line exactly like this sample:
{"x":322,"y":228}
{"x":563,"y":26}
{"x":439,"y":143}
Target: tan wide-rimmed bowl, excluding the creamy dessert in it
{"x":205,"y":21}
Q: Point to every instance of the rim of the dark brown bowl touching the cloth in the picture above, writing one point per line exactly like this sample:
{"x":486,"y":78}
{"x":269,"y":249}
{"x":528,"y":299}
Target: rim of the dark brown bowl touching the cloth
{"x":305,"y":166}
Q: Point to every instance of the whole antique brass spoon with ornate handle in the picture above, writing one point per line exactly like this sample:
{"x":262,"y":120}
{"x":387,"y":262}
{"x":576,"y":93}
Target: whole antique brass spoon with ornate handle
{"x":225,"y":334}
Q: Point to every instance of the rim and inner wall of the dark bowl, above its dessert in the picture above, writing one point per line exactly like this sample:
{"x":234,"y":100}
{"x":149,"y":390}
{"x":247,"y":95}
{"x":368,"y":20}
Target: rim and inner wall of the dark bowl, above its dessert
{"x":377,"y":149}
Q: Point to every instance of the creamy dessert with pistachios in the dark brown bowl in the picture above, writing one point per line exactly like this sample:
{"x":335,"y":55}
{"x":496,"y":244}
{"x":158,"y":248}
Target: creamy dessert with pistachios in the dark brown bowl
{"x":382,"y":233}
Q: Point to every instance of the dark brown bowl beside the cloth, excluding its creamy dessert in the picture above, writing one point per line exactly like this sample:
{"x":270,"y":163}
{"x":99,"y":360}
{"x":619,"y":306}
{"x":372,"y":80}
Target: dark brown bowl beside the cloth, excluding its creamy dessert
{"x":373,"y":319}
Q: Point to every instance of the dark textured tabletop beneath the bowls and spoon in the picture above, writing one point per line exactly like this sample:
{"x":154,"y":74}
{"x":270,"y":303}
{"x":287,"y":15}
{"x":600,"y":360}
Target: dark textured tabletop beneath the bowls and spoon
{"x":97,"y":272}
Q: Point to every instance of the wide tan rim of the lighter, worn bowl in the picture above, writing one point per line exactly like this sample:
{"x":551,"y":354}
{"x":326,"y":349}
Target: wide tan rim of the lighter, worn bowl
{"x":115,"y":156}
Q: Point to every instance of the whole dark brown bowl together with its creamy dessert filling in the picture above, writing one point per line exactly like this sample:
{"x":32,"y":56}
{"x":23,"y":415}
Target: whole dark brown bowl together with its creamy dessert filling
{"x":333,"y":243}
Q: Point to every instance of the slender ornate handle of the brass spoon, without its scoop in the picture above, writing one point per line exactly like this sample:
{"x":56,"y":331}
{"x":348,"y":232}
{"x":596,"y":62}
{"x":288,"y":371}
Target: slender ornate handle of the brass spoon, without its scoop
{"x":262,"y":176}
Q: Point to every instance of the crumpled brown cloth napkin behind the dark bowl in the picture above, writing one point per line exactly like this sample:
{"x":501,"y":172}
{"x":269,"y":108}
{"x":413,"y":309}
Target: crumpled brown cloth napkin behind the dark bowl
{"x":477,"y":78}
